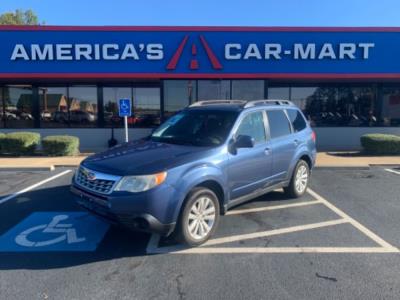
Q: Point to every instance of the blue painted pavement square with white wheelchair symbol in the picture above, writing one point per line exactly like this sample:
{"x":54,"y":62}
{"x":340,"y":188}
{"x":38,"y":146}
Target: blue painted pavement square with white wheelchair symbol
{"x":55,"y":231}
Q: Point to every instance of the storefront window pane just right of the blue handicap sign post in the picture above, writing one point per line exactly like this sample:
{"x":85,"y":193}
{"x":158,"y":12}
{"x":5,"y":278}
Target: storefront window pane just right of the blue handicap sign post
{"x":146,"y":107}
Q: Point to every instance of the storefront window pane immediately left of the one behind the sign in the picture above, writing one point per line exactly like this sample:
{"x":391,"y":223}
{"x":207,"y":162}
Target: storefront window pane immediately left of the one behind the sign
{"x":83,"y":106}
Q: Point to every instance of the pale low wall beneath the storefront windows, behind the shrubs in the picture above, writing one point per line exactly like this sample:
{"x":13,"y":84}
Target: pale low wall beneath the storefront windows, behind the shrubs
{"x":328,"y":139}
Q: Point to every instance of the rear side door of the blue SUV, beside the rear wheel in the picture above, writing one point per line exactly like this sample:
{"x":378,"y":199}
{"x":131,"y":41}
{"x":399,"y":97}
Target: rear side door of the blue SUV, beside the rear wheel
{"x":283,"y":143}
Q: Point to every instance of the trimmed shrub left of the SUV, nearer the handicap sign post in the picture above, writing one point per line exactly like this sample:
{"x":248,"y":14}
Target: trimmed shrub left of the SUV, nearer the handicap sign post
{"x":60,"y":145}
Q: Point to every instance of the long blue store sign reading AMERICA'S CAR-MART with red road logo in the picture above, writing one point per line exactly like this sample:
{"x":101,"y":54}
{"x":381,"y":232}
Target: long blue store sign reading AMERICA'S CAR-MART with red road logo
{"x":179,"y":52}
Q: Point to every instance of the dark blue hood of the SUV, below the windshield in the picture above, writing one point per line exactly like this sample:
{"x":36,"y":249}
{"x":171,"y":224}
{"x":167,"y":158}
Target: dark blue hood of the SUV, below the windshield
{"x":144,"y":157}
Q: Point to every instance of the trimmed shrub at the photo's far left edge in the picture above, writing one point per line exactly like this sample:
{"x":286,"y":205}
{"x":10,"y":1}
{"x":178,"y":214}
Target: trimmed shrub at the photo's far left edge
{"x":19,"y":143}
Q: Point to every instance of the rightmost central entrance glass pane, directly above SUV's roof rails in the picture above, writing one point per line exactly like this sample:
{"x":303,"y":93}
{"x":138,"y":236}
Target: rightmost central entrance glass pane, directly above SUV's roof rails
{"x":248,"y":89}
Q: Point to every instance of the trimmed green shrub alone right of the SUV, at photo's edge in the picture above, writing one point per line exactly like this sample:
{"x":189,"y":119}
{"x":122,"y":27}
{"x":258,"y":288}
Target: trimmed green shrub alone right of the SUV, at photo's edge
{"x":381,"y":144}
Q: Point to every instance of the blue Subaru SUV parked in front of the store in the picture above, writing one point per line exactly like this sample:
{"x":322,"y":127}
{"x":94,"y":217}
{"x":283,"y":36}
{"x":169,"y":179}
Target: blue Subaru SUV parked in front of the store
{"x":202,"y":161}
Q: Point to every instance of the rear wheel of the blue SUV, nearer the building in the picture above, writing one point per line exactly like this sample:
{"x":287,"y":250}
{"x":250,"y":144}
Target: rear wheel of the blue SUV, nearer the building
{"x":299,"y":181}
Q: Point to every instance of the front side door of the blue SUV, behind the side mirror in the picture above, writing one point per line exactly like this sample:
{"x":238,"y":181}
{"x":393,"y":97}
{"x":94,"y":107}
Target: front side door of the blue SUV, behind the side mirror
{"x":250,"y":168}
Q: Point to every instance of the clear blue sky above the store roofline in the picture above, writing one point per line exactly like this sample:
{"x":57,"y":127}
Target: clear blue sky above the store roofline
{"x":213,"y":12}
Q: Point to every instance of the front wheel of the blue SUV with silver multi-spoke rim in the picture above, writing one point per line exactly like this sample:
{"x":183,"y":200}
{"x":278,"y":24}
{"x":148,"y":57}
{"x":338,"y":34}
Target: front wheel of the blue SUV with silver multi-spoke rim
{"x":191,"y":228}
